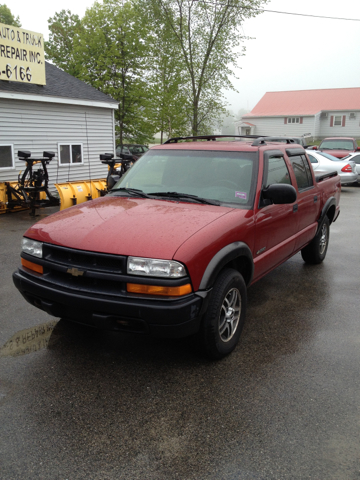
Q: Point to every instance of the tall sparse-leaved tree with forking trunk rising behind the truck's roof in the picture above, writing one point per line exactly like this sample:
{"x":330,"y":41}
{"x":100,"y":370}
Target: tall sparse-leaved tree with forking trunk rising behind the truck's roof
{"x":207,"y":33}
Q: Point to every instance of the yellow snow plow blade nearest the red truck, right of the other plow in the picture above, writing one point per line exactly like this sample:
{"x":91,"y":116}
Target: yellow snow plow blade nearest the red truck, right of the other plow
{"x":73,"y":193}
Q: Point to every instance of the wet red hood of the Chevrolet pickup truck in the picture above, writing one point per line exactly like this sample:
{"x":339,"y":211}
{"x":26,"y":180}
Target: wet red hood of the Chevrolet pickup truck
{"x":126,"y":226}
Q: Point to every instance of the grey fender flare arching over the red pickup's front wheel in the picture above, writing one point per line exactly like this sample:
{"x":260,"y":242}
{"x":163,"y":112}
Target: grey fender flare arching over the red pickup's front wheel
{"x":236,"y":255}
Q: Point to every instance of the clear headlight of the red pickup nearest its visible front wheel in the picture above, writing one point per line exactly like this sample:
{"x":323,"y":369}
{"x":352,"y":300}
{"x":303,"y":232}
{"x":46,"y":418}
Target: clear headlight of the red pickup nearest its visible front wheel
{"x":155,"y":268}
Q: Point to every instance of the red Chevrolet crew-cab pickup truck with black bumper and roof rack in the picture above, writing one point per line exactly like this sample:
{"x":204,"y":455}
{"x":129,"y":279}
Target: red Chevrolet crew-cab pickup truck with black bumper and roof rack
{"x":173,"y":246}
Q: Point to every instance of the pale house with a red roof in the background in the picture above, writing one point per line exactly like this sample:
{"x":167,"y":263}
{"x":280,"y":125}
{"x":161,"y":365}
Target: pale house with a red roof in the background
{"x":320,"y":113}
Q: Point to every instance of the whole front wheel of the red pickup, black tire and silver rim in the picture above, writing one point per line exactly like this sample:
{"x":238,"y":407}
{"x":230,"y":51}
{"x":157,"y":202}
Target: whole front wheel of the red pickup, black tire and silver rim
{"x":225,"y":315}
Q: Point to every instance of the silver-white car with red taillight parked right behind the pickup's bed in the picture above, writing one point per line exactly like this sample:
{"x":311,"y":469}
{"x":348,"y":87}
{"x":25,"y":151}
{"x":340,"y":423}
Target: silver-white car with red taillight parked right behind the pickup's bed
{"x":324,"y":163}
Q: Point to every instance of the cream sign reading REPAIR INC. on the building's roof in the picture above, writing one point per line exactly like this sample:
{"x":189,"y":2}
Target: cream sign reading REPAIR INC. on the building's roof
{"x":21,"y":55}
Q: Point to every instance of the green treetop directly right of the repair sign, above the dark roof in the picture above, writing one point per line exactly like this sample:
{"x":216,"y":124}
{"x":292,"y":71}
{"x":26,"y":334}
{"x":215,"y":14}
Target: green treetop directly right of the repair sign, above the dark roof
{"x":65,"y":29}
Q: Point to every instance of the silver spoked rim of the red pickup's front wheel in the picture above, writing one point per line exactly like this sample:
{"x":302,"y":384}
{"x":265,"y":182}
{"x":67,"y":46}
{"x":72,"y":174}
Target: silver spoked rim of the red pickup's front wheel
{"x":230,"y":315}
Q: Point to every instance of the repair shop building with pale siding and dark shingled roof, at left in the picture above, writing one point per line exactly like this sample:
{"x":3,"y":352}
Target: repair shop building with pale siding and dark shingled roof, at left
{"x":66,"y":116}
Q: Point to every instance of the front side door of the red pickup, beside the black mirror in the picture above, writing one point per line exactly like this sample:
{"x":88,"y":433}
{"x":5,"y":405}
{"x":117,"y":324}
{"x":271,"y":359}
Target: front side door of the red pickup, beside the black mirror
{"x":276,"y":225}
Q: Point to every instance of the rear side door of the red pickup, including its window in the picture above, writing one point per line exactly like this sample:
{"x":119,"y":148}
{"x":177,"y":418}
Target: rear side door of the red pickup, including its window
{"x":308,"y":204}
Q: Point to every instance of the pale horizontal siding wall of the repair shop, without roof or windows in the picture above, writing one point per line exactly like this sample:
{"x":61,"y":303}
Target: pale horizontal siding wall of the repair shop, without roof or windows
{"x":38,"y":126}
